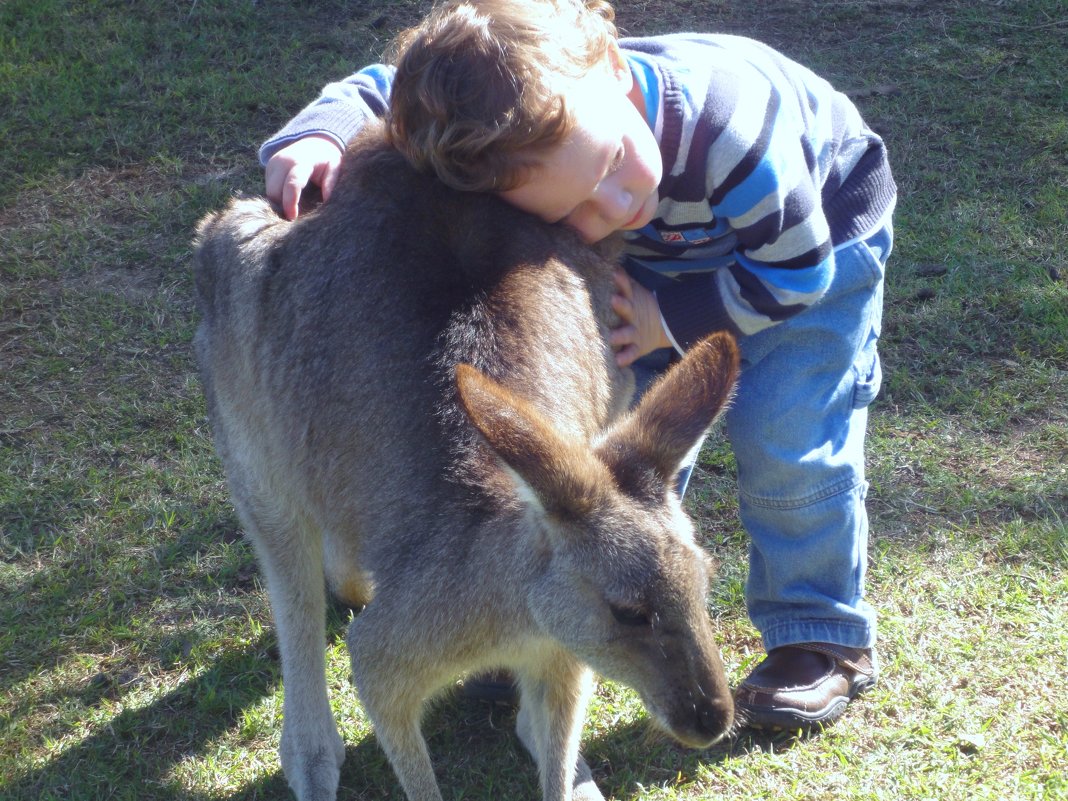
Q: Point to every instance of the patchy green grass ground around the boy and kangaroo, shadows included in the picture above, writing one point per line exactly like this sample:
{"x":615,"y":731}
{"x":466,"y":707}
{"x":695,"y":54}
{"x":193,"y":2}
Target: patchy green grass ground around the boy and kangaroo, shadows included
{"x":137,"y":658}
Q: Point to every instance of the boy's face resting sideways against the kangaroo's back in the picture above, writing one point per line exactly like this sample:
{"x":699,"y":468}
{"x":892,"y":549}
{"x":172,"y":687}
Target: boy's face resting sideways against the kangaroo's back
{"x":605,"y":178}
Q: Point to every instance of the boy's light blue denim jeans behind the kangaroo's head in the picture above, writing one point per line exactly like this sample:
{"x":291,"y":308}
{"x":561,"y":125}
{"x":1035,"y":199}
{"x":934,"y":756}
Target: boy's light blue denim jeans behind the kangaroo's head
{"x":797,"y":430}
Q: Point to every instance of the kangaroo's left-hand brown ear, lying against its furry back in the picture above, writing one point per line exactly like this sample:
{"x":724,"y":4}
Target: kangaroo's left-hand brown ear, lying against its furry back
{"x":558,"y":475}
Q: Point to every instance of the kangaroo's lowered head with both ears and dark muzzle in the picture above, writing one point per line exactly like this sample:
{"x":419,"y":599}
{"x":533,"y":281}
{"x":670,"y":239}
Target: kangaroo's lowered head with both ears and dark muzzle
{"x":622,"y":582}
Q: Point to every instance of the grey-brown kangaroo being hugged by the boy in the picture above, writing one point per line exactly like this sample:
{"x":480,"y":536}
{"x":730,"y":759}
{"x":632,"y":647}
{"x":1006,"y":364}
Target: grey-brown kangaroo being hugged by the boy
{"x":414,"y":398}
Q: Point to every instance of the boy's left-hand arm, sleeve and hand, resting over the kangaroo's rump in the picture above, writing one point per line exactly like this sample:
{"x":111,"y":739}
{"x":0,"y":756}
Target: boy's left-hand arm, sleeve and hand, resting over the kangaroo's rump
{"x":309,"y":148}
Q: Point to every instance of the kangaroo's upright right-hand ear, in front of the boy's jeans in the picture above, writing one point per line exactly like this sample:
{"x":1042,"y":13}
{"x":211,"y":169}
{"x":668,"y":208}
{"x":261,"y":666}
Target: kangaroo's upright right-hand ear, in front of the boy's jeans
{"x":674,"y":413}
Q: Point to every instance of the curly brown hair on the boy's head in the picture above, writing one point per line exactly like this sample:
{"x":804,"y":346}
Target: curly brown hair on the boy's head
{"x":482,"y":85}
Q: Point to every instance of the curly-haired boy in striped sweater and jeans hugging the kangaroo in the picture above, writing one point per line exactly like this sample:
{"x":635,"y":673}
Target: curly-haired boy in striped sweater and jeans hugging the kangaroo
{"x":751,"y":198}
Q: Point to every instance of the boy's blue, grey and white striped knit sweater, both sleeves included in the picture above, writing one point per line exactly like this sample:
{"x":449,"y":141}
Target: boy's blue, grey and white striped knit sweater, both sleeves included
{"x":767,"y":170}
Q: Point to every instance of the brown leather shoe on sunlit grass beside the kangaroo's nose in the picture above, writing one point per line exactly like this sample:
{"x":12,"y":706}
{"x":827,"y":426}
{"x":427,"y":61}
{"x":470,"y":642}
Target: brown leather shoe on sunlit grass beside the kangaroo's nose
{"x":806,"y":685}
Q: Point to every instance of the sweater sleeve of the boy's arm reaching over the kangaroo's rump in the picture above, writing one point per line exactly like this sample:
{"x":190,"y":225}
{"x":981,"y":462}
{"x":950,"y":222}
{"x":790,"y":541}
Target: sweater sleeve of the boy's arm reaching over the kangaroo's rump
{"x":340,"y":112}
